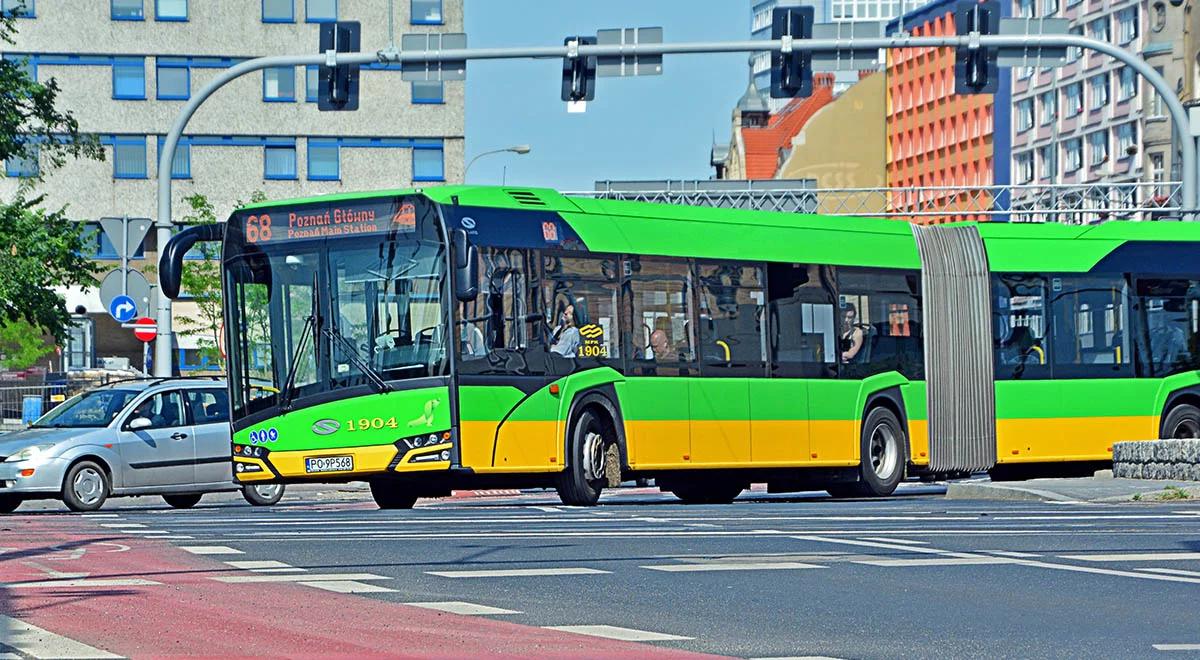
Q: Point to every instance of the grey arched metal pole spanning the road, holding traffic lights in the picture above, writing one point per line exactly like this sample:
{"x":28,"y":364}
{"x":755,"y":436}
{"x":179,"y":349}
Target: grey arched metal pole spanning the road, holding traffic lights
{"x":163,"y":362}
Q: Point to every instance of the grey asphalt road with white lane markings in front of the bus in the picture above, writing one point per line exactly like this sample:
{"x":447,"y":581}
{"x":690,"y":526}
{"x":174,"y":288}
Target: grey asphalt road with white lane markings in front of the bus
{"x":769,"y":577}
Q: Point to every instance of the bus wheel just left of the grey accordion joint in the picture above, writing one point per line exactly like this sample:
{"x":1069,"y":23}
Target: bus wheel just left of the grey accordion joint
{"x":884,"y":458}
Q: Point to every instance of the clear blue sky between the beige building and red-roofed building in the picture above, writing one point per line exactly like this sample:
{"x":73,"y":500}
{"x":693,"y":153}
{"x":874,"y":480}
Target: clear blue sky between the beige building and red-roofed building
{"x":645,"y":128}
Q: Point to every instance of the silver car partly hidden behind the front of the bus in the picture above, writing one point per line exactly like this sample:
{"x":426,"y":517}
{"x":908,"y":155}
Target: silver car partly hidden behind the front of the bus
{"x":167,"y":437}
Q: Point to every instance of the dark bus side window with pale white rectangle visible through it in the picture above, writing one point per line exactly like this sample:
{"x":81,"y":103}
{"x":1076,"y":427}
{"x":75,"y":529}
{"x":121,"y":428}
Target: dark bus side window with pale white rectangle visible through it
{"x":803,"y":341}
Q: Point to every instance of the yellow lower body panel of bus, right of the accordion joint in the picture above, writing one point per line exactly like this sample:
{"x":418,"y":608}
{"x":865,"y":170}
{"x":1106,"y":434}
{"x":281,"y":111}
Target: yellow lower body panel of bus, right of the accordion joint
{"x":1030,"y":441}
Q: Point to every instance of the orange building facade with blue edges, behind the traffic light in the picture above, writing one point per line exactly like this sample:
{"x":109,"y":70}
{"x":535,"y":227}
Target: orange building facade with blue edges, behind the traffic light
{"x":937,"y":139}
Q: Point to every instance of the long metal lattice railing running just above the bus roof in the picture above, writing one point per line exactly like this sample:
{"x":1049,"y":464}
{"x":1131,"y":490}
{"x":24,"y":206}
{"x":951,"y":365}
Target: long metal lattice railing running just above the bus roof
{"x":1066,"y":203}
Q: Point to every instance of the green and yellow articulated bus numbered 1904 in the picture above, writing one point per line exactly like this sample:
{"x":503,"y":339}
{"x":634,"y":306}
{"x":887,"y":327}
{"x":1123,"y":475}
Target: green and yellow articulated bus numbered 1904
{"x":447,"y":338}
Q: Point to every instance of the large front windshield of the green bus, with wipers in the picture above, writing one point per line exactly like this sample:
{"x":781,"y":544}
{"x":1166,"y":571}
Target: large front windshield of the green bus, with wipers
{"x":346,"y":310}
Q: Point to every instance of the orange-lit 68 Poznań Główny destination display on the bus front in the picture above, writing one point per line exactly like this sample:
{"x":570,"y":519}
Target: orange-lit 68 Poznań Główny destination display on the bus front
{"x":334,"y":220}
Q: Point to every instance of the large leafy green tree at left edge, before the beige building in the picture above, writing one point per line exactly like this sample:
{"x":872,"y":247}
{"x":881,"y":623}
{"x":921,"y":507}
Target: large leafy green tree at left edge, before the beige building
{"x":39,"y":249}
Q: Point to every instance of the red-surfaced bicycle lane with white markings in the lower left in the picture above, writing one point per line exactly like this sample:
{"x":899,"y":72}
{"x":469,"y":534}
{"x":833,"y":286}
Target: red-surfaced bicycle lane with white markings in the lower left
{"x":140,"y":598}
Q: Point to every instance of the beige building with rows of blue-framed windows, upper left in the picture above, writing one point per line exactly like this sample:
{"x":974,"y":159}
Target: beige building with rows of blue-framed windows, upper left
{"x":127,"y":68}
